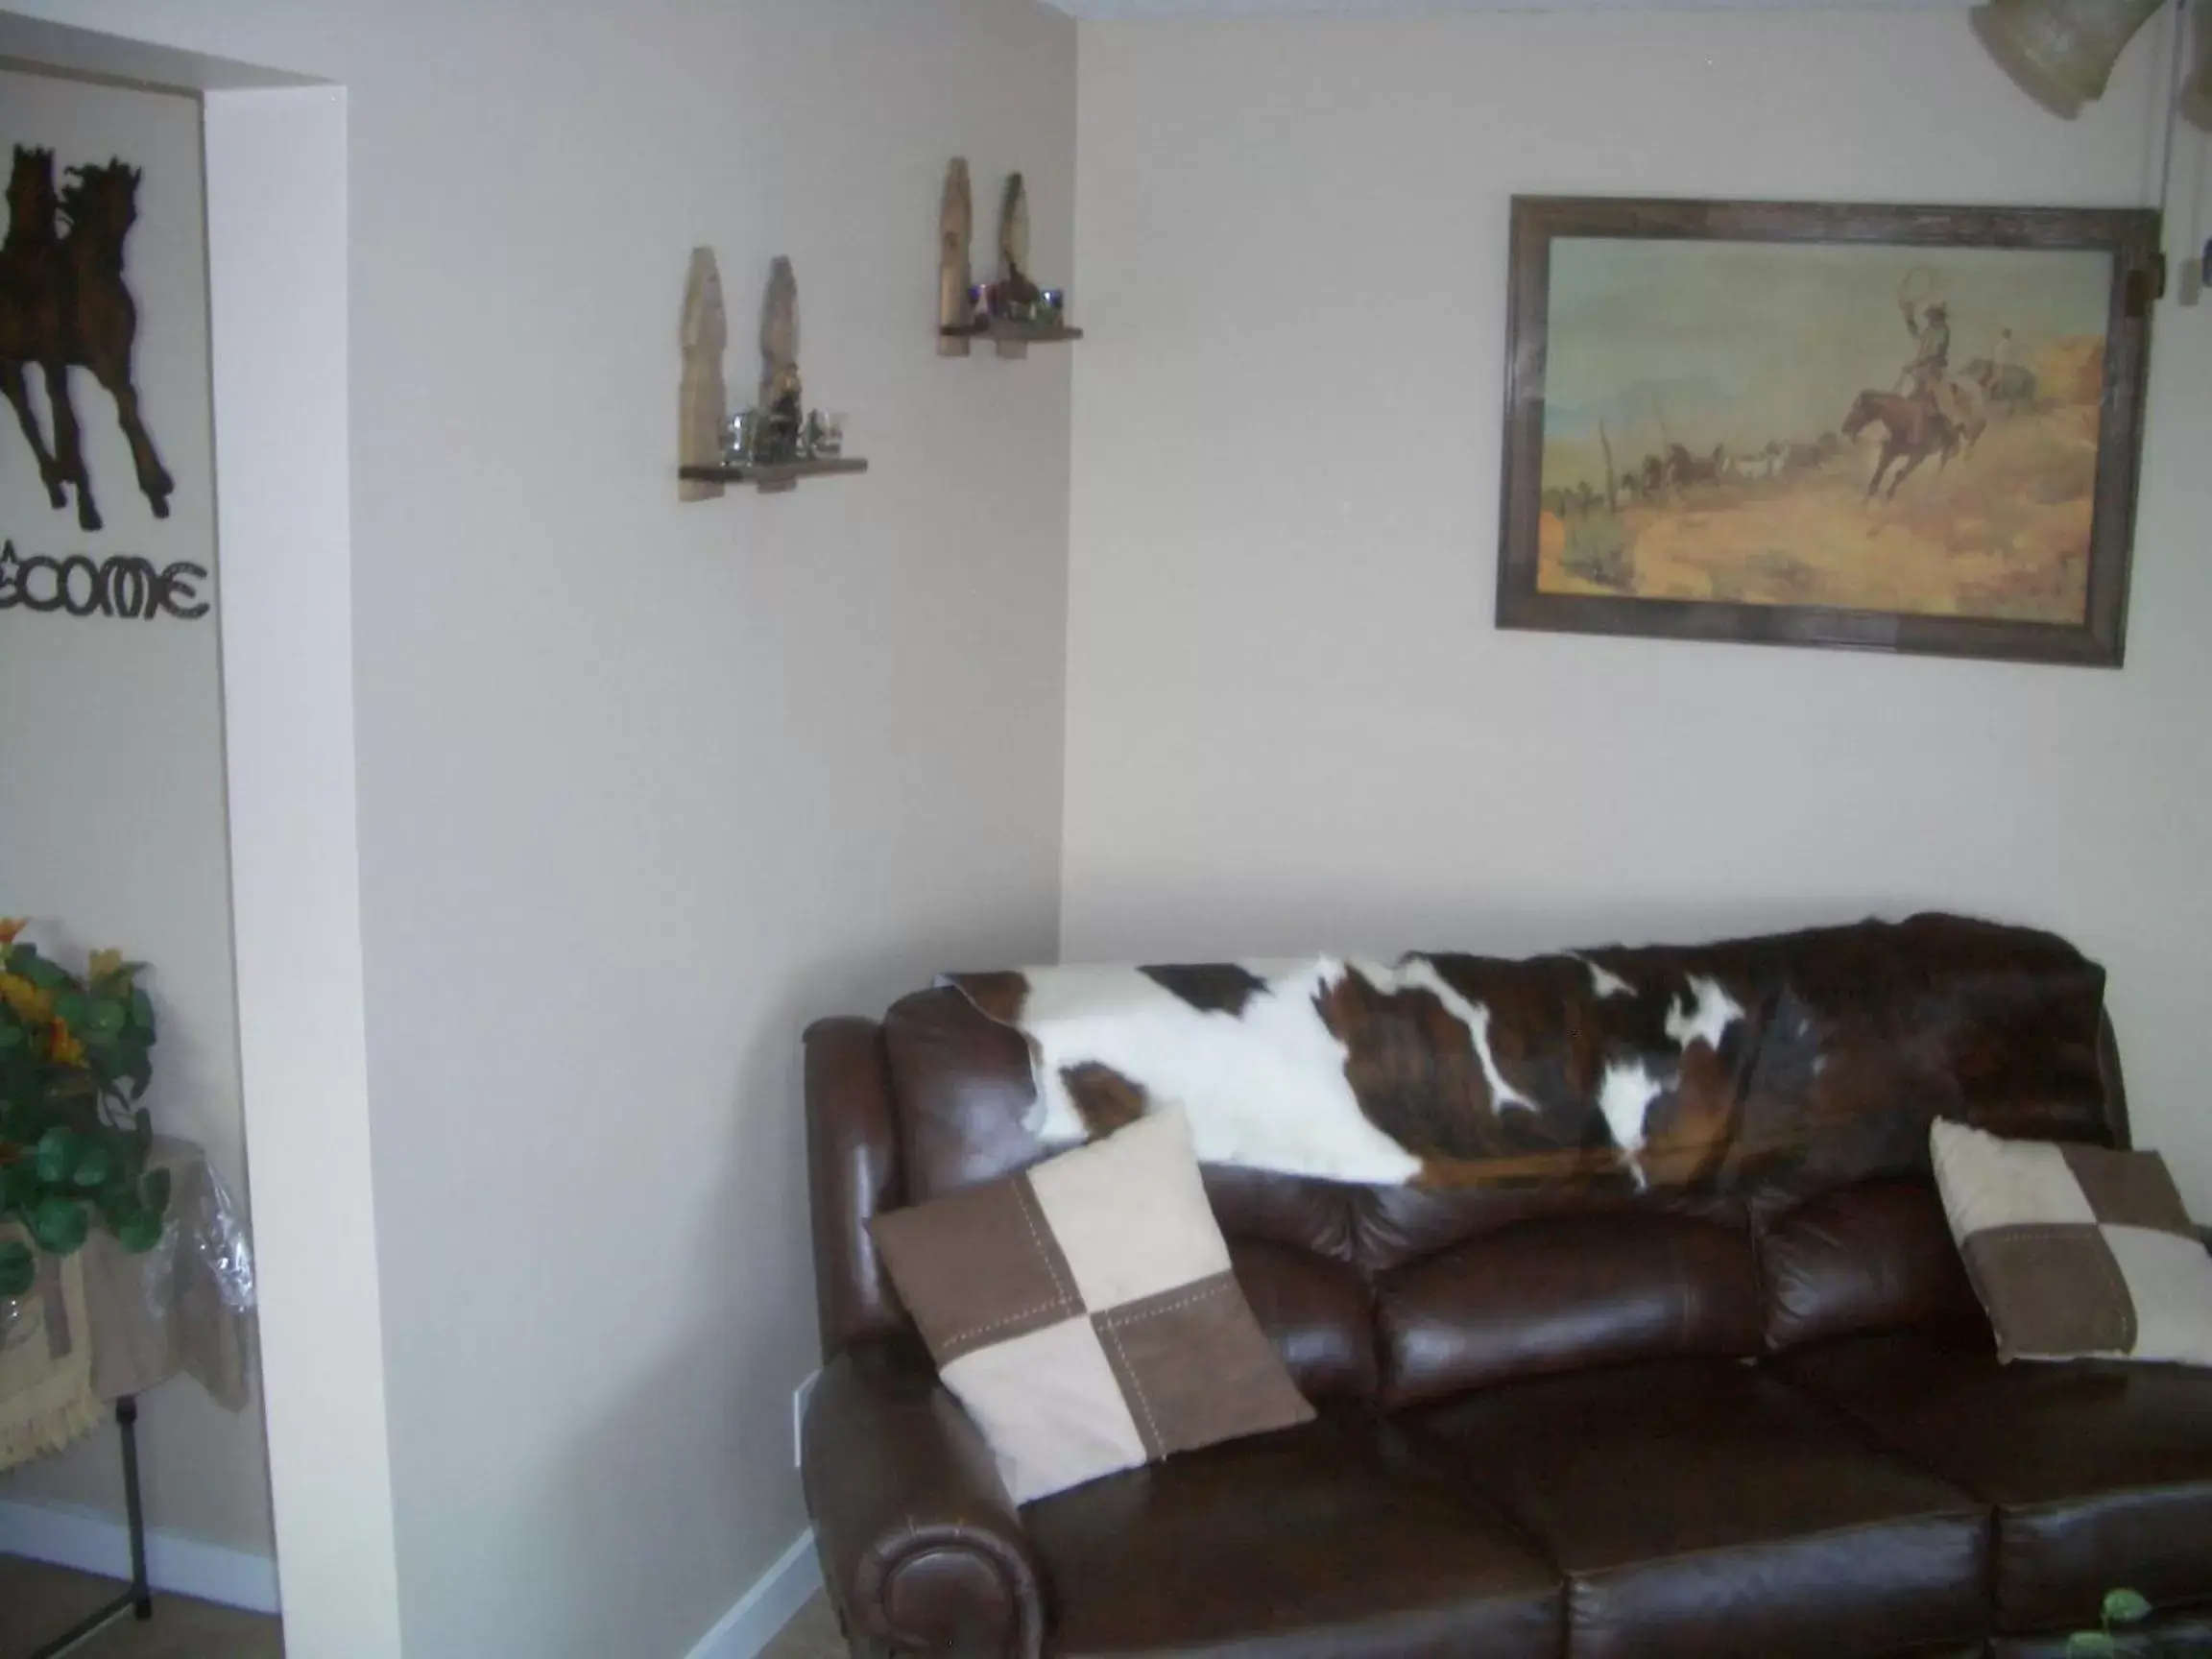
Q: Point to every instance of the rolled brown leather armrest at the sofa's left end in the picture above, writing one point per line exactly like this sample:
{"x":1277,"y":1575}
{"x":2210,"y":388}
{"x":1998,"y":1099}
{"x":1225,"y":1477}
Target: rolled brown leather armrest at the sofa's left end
{"x":921,"y":1547}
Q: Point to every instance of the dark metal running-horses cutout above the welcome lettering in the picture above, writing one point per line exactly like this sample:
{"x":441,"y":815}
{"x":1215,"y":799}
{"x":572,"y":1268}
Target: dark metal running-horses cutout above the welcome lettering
{"x":63,"y":304}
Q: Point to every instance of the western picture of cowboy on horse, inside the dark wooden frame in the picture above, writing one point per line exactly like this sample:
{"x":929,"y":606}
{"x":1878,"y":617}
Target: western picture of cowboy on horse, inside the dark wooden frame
{"x":1791,"y":444}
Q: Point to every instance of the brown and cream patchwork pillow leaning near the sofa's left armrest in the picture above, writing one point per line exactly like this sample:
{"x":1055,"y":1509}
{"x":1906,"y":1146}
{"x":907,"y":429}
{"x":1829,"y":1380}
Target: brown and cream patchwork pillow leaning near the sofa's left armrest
{"x":1085,"y":1313}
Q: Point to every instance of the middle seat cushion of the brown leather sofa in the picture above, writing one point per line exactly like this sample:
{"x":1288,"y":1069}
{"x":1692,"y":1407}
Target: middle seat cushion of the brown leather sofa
{"x":1702,"y":1510}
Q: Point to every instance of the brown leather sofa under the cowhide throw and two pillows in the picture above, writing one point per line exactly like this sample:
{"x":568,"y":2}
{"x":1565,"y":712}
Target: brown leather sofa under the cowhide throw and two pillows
{"x":1762,"y":1426}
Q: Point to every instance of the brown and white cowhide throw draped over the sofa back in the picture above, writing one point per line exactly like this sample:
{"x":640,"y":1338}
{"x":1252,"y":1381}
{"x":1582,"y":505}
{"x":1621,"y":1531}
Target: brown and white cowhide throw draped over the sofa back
{"x":1651,"y":1067}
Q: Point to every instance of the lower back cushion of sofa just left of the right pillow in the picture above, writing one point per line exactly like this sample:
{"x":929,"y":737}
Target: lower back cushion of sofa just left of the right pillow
{"x":1868,"y":1258}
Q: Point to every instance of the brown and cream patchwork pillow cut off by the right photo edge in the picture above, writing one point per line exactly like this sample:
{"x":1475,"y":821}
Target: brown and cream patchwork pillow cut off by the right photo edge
{"x":2076,"y":1251}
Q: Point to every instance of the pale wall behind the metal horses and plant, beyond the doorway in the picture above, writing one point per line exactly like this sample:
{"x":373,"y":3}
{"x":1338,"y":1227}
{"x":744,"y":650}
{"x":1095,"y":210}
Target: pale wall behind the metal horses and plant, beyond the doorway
{"x":112,"y":760}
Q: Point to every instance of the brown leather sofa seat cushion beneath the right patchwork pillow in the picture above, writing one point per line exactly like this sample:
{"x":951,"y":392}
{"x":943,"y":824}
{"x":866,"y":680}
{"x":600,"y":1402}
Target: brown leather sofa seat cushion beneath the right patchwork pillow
{"x":2100,"y":1474}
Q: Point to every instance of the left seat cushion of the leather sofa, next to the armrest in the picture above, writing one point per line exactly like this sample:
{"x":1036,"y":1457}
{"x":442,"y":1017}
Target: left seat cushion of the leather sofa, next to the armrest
{"x":1317,"y":1543}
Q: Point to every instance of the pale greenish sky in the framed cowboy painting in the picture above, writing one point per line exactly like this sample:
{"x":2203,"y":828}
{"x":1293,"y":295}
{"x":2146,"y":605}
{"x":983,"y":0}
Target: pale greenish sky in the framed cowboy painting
{"x":1735,"y":342}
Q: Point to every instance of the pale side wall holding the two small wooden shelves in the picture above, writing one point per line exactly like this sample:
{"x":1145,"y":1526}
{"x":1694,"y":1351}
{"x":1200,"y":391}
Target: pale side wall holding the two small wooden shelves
{"x":645,"y":786}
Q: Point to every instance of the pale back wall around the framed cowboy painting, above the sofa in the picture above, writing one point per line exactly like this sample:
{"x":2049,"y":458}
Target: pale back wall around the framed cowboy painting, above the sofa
{"x":1291,"y":720}
